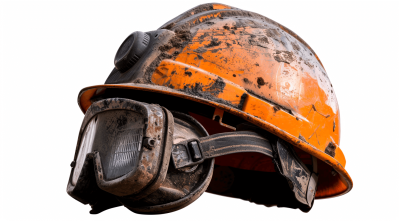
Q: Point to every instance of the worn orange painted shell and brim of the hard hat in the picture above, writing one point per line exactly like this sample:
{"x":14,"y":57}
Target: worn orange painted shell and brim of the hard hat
{"x":288,"y":91}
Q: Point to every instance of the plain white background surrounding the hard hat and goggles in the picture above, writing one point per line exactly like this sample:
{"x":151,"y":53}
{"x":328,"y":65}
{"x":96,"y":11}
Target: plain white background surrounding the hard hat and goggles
{"x":52,"y":49}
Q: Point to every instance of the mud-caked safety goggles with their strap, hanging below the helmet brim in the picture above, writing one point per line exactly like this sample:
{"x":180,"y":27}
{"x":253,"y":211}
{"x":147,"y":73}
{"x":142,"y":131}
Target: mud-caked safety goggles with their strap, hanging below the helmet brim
{"x":152,"y":160}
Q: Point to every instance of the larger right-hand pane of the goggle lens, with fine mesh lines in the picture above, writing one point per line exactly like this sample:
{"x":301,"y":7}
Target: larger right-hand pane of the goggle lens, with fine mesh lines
{"x":120,"y":134}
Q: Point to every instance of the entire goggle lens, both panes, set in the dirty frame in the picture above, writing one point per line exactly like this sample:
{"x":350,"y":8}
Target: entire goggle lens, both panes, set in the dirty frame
{"x":117,"y":136}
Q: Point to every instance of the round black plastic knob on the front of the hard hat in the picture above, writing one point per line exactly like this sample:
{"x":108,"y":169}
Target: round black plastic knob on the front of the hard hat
{"x":131,"y":50}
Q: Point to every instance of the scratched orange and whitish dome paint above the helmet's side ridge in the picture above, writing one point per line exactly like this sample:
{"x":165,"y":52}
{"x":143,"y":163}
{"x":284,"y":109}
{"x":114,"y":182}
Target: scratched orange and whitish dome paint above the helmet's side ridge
{"x":239,"y":52}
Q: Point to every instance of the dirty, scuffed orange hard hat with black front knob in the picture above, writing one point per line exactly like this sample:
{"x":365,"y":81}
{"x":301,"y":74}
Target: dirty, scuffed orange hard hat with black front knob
{"x":238,"y":66}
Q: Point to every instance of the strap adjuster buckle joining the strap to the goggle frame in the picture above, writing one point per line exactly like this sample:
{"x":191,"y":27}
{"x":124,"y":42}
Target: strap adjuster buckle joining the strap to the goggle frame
{"x":187,"y":153}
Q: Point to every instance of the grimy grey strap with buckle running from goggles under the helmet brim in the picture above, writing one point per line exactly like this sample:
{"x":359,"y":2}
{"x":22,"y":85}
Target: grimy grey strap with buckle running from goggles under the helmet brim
{"x":301,"y":180}
